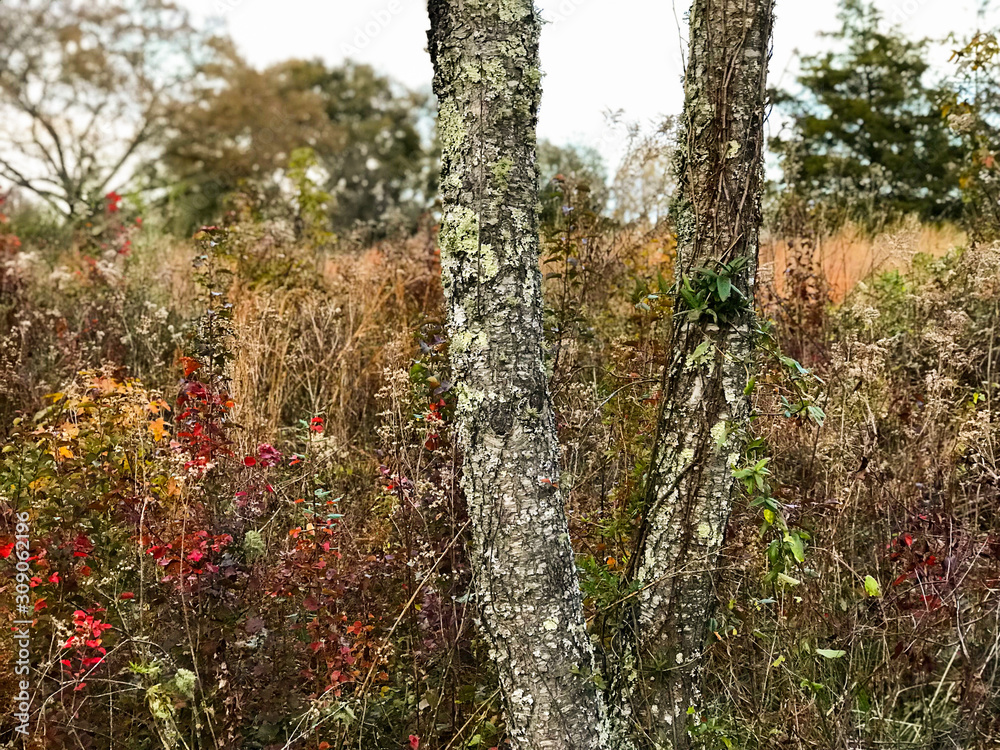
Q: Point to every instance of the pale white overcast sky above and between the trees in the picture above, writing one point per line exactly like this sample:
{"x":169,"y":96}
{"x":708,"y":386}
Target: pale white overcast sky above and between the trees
{"x":597,"y":55}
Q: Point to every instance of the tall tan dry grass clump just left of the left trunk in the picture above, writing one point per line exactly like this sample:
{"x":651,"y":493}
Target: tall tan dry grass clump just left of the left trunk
{"x":319,"y":348}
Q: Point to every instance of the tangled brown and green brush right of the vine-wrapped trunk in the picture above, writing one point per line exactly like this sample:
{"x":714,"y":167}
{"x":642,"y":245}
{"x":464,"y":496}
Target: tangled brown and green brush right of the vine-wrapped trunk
{"x":885,"y":634}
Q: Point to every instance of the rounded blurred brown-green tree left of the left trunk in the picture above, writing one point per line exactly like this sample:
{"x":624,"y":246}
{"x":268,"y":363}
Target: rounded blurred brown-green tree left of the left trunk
{"x":363,"y":128}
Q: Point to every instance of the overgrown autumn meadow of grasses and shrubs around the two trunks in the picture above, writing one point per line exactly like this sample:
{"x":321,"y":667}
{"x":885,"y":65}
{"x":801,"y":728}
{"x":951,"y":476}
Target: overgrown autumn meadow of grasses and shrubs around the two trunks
{"x":249,"y":530}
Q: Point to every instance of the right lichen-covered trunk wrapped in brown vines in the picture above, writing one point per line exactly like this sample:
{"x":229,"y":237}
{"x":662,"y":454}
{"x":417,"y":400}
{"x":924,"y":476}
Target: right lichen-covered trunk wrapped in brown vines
{"x":705,"y":411}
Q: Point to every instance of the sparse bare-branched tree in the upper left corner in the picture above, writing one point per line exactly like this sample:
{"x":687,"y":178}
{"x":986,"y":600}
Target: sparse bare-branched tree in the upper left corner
{"x":85,"y":88}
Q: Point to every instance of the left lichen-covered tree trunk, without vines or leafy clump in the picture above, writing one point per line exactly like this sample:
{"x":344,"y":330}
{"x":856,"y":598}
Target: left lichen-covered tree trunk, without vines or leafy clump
{"x":486,"y":77}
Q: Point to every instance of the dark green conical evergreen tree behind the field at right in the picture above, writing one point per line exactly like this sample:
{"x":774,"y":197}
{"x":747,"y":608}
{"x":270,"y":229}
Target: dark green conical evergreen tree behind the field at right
{"x":867,"y":137}
